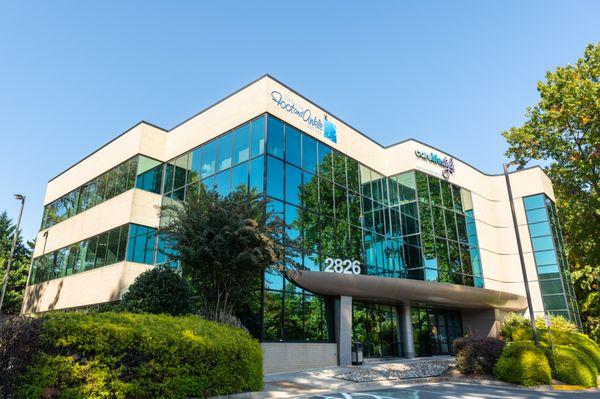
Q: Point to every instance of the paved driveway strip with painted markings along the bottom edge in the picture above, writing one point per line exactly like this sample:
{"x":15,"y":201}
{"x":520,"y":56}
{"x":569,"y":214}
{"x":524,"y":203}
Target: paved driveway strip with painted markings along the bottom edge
{"x":450,"y":390}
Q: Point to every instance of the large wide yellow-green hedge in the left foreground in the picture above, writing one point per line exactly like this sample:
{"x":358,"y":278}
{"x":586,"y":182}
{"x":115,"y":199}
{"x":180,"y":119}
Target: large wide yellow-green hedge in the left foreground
{"x":125,"y":355}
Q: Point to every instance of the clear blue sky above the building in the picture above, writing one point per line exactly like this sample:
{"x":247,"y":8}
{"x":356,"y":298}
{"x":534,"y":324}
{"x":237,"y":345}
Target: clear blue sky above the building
{"x":75,"y":74}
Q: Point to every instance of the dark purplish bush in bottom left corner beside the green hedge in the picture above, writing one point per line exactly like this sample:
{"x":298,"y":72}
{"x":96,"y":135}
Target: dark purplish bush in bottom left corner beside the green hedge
{"x":19,"y":340}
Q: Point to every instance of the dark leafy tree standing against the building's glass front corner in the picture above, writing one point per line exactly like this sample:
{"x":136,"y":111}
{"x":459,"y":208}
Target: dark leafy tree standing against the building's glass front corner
{"x":223,"y":244}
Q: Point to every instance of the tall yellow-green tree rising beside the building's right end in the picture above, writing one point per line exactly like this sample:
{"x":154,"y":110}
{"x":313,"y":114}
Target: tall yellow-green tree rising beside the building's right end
{"x":563,"y":130}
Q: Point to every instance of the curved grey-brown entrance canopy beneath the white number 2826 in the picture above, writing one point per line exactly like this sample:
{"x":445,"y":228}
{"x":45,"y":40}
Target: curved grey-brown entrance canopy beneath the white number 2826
{"x":398,"y":290}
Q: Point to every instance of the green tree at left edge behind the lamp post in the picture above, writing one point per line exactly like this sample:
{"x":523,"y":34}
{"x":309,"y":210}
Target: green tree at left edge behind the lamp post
{"x":17,"y":277}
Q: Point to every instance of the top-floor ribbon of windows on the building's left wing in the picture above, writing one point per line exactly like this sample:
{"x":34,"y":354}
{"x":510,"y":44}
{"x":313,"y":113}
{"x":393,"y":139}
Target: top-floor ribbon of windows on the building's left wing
{"x":140,"y":172}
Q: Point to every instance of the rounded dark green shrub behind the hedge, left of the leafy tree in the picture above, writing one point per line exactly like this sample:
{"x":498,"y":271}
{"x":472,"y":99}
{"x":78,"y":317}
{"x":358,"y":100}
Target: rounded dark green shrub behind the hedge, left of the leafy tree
{"x":159,"y":290}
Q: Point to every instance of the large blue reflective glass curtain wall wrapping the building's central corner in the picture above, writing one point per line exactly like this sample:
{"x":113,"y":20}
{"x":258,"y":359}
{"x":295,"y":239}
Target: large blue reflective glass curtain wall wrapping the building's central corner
{"x":334,"y":207}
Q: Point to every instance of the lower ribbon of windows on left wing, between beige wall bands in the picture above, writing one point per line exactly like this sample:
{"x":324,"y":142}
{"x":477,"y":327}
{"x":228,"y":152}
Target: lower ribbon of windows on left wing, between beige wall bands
{"x":130,"y":242}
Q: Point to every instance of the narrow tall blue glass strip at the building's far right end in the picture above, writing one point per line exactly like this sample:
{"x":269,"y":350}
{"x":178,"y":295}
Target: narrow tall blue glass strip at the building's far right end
{"x":550,"y":257}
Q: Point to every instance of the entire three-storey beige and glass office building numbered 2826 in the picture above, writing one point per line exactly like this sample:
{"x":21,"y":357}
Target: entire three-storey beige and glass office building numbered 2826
{"x":403,"y":248}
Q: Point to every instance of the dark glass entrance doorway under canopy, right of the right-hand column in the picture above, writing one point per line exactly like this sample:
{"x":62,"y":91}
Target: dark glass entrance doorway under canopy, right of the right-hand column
{"x":434,"y":330}
